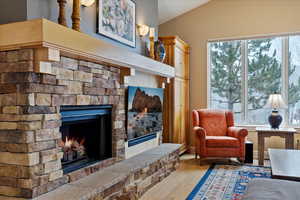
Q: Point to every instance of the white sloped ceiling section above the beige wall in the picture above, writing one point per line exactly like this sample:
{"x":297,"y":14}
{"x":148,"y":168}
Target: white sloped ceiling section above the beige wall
{"x":169,"y":9}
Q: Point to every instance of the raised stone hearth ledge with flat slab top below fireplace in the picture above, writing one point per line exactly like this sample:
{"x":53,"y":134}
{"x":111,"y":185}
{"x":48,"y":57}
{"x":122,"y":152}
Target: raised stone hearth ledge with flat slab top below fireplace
{"x":128,"y":179}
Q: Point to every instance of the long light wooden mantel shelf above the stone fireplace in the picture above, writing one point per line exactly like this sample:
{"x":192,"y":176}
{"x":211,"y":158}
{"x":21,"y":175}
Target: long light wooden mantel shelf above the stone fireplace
{"x":42,"y":33}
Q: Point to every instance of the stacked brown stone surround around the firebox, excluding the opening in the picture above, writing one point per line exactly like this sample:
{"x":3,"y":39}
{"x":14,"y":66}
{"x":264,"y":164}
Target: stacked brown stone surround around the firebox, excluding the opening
{"x":30,"y":156}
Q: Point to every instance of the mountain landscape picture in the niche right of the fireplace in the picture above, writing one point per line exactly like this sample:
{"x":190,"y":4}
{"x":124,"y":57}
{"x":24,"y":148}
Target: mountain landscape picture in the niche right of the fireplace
{"x":145,"y":110}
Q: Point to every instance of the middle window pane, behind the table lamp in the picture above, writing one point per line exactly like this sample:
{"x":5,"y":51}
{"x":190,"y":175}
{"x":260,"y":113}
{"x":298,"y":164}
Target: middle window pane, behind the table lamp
{"x":264,"y":76}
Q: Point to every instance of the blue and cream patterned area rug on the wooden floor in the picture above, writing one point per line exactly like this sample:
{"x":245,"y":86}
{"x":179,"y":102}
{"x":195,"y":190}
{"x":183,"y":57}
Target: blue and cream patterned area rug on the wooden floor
{"x":227,"y":182}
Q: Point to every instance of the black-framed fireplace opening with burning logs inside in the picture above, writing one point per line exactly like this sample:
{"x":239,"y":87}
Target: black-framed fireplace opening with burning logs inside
{"x":86,"y":136}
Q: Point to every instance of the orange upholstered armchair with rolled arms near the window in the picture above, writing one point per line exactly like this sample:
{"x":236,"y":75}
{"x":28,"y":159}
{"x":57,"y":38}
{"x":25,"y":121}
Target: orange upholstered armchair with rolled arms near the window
{"x":216,"y":135}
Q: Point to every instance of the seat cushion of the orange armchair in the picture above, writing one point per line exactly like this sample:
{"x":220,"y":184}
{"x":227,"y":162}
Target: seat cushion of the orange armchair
{"x":222,"y":142}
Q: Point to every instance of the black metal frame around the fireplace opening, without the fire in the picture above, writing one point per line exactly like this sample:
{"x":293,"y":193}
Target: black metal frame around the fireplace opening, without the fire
{"x":70,"y":114}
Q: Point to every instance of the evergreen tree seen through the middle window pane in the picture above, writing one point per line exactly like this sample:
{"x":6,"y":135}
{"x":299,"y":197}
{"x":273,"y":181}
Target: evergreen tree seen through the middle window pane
{"x":264,"y":72}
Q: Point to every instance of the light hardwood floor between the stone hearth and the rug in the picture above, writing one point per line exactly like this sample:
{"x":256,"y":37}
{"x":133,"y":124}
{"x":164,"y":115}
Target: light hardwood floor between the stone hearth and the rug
{"x":180,"y":183}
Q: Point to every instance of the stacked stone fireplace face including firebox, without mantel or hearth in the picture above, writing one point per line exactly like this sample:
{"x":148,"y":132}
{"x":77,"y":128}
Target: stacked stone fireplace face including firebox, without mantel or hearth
{"x":57,"y":127}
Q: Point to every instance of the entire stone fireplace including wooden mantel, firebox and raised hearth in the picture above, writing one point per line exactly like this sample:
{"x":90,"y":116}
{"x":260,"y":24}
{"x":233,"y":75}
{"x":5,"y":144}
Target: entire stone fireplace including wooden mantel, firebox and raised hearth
{"x":62,"y":117}
